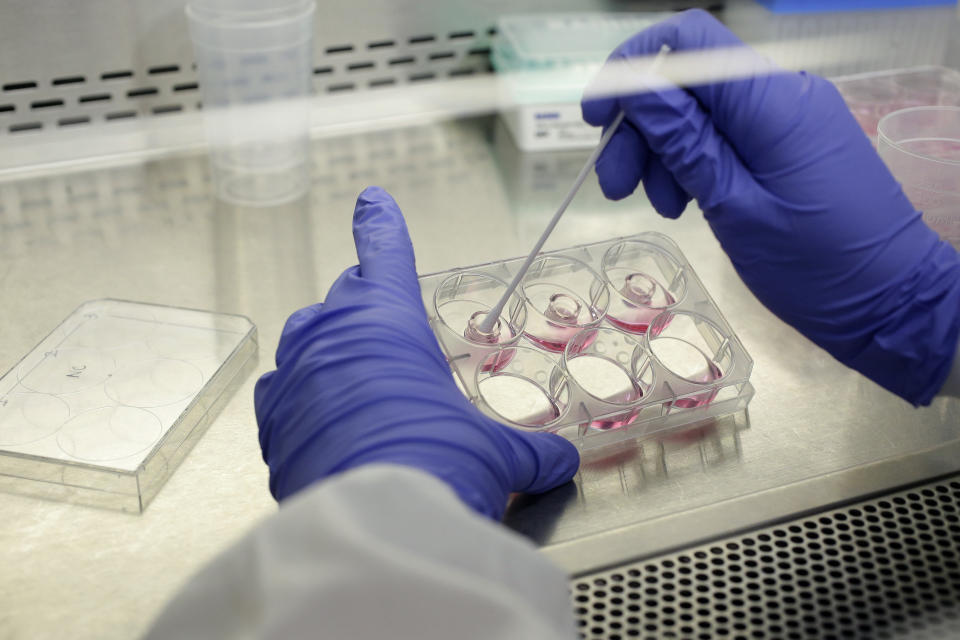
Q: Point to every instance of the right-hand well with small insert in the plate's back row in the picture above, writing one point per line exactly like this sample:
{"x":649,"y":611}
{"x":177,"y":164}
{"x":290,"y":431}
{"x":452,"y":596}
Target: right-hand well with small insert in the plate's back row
{"x":645,"y":280}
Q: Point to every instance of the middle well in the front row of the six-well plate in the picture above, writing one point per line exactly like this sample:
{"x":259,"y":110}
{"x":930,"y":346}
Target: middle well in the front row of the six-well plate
{"x":613,"y":369}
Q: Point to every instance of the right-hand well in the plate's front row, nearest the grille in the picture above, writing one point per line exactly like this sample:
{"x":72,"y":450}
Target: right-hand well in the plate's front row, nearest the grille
{"x":694,"y":349}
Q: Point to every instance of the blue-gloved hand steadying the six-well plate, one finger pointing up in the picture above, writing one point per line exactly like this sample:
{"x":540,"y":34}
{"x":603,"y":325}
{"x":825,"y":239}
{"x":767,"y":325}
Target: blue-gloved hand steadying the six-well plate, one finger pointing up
{"x":361,"y":379}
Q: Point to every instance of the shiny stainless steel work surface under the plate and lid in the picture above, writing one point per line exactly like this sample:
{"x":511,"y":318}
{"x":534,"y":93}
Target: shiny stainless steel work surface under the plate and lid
{"x":149,"y":231}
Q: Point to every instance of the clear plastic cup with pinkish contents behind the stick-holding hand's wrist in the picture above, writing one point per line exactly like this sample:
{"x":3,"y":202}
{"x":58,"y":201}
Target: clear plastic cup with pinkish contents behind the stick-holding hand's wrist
{"x":921,"y":146}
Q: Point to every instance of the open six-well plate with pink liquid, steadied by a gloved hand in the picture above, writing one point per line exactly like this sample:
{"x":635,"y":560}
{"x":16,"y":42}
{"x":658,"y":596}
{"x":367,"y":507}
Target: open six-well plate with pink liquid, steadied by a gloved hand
{"x":600,"y":343}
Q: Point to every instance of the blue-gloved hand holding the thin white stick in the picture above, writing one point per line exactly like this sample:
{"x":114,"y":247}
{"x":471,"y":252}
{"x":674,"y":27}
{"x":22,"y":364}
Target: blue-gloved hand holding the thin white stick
{"x":810,"y":216}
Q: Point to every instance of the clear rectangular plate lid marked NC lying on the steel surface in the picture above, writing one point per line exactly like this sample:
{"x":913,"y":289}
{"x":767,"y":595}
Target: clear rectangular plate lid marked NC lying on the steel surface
{"x":106,"y":406}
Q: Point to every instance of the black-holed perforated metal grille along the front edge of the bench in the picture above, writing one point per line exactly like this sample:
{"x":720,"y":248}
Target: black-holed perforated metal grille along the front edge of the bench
{"x":884,"y":568}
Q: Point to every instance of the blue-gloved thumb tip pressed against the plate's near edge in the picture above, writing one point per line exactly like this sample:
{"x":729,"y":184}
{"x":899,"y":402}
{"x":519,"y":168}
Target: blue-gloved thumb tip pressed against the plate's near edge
{"x":545,"y":461}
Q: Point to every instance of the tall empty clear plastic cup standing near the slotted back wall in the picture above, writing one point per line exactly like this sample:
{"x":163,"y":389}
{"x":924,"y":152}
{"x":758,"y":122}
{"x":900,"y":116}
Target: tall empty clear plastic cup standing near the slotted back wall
{"x":255,"y":65}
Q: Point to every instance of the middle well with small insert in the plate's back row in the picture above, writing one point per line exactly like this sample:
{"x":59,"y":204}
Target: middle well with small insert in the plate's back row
{"x":564,"y":296}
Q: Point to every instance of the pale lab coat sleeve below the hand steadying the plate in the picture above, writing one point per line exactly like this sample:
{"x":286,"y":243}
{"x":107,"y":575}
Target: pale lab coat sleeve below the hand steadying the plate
{"x":377,"y":552}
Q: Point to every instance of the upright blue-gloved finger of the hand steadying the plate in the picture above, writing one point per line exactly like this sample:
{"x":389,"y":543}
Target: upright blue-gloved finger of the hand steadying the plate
{"x":383,"y":243}
